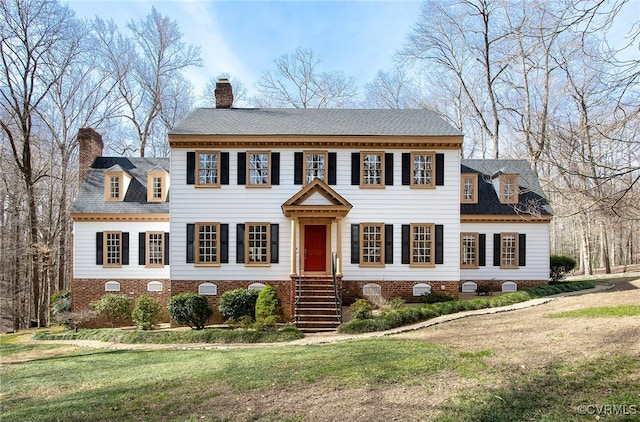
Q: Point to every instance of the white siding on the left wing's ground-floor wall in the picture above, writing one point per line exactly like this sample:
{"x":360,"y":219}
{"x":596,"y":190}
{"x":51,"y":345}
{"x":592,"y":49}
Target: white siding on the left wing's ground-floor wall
{"x":85,"y":251}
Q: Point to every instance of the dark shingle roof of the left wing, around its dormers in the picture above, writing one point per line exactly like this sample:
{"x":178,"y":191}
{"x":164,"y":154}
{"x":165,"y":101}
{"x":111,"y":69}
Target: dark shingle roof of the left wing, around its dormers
{"x":90,"y":198}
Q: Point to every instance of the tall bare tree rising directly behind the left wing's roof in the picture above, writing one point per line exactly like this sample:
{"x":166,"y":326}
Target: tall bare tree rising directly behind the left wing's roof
{"x":146,"y":68}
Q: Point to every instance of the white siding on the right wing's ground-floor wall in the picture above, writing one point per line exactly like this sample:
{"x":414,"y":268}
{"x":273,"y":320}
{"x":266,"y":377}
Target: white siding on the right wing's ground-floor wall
{"x":537,"y":252}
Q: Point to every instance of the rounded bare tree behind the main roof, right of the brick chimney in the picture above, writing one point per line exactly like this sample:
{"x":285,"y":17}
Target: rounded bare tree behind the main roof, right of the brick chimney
{"x":297,"y":82}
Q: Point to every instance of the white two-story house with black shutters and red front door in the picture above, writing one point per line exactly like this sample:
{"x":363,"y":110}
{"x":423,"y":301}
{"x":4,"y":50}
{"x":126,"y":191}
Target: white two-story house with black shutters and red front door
{"x":328,"y":205}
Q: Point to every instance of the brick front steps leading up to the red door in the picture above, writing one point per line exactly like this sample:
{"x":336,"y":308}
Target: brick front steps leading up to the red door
{"x":316,"y":308}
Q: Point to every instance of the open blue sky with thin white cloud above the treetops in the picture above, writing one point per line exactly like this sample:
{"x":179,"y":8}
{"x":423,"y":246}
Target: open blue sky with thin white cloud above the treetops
{"x":243,"y":38}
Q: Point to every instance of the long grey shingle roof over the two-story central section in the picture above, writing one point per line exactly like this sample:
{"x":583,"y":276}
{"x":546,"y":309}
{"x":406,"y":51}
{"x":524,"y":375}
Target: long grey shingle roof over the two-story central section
{"x":321,"y":122}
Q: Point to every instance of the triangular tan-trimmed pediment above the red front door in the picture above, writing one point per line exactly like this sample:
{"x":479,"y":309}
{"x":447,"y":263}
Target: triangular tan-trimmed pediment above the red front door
{"x":316,"y":199}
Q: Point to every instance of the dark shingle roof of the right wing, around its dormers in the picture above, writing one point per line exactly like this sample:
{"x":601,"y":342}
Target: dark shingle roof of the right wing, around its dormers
{"x":532,"y":199}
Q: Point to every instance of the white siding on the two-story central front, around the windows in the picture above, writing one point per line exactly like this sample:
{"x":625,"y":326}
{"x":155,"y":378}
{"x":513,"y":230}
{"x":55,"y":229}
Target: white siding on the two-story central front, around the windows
{"x":233,"y":204}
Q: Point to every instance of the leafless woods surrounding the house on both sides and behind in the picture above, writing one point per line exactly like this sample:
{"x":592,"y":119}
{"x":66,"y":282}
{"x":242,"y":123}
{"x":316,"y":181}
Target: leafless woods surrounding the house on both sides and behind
{"x":521,"y":79}
